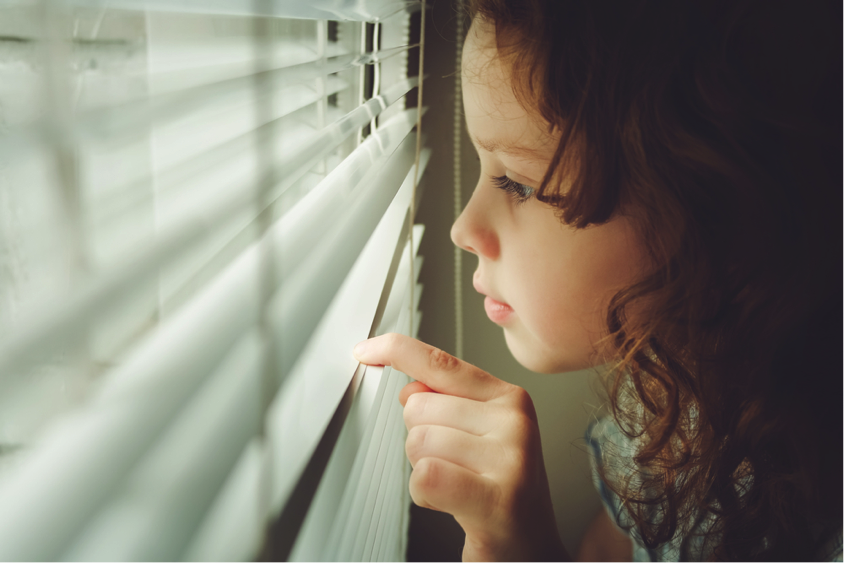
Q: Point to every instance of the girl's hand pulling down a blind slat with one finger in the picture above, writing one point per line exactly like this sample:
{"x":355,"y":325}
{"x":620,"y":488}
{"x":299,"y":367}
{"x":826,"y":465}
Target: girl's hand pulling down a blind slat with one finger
{"x":473,"y":442}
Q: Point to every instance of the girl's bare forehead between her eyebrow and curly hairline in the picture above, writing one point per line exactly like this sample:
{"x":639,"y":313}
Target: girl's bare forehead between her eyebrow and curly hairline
{"x":493,"y":113}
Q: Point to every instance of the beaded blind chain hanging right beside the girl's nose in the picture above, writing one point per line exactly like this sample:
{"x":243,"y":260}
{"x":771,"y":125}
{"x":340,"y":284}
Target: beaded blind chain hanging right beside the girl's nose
{"x":458,"y":189}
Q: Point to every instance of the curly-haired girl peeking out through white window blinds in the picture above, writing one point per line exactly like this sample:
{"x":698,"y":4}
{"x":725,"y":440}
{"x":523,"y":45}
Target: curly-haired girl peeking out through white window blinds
{"x":660,"y":191}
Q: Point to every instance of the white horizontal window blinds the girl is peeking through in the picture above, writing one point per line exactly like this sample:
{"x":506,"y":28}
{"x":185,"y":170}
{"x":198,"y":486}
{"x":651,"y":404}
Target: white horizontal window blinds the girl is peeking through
{"x":204,"y":205}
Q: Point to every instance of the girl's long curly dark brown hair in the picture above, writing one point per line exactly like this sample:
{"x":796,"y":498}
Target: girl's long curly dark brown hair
{"x":717,"y":127}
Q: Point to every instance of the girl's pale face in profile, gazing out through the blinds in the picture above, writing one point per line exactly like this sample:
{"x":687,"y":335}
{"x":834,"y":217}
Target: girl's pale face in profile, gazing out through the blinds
{"x":552,"y":283}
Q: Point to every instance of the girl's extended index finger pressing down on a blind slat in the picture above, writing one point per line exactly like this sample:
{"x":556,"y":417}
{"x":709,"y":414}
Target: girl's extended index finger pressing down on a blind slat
{"x":439,"y":370}
